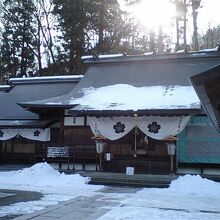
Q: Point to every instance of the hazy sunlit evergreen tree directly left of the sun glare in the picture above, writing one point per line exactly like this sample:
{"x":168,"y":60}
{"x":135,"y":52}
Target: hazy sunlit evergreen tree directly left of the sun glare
{"x":109,"y":24}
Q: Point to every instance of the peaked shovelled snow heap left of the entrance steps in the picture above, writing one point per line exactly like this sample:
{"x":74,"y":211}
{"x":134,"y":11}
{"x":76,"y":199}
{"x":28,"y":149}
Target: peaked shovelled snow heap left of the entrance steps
{"x":43,"y":176}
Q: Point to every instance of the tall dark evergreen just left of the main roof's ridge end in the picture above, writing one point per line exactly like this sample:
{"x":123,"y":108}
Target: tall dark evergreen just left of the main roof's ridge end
{"x":72,"y":22}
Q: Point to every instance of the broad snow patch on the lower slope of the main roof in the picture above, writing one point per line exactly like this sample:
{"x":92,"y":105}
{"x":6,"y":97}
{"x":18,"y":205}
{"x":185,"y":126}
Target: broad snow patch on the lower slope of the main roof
{"x":128,"y":97}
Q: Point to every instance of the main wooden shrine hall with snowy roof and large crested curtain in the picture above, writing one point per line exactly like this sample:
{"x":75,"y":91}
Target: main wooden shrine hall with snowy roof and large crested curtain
{"x":144,"y":108}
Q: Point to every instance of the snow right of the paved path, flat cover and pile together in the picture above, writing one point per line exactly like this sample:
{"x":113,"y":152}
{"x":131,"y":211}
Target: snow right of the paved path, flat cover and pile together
{"x":188,"y":197}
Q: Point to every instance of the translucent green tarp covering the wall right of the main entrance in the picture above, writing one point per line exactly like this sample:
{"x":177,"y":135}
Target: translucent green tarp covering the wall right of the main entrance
{"x":199,"y":142}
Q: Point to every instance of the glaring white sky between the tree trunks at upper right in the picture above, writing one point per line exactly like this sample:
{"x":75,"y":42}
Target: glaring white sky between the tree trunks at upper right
{"x":152,"y":13}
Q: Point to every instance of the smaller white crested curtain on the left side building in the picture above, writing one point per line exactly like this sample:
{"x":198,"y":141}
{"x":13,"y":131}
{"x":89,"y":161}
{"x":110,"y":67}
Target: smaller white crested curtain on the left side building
{"x":32,"y":134}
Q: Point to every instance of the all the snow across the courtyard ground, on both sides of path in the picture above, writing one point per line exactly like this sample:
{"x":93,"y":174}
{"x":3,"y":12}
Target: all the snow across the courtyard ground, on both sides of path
{"x":190,"y":197}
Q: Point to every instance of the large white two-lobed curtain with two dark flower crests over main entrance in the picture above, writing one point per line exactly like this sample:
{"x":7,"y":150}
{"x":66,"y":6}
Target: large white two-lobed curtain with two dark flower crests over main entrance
{"x":155,"y":127}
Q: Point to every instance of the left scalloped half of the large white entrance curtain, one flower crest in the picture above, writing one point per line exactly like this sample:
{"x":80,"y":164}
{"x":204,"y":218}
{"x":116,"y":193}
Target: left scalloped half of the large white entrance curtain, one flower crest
{"x":112,"y":128}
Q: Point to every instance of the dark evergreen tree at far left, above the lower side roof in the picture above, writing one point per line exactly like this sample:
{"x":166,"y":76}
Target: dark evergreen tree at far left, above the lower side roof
{"x":17,"y":41}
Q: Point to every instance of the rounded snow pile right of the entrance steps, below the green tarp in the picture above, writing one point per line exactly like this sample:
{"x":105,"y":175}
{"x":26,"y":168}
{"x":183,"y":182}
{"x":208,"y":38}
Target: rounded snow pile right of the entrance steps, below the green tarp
{"x":195,"y":184}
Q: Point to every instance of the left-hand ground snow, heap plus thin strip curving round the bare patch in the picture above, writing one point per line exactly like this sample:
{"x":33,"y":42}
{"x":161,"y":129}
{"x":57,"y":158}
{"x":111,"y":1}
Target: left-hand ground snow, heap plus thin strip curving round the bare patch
{"x":54,"y":186}
